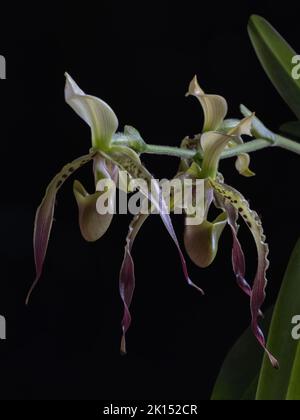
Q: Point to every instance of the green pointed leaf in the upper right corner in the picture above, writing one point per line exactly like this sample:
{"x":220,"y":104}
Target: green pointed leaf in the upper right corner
{"x":276,"y":56}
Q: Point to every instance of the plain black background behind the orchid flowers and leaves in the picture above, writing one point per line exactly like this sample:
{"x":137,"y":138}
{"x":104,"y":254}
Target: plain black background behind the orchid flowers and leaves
{"x":140,"y":59}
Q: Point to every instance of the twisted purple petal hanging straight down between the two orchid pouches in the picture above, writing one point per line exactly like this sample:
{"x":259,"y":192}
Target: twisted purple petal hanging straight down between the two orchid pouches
{"x":127,"y":276}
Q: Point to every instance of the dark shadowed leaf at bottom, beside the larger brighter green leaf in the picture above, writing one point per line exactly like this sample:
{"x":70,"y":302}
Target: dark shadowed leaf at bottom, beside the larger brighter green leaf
{"x":239,"y":374}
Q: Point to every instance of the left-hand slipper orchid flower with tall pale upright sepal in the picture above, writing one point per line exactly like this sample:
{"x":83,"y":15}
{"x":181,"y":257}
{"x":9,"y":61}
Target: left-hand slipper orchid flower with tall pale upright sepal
{"x":109,"y":155}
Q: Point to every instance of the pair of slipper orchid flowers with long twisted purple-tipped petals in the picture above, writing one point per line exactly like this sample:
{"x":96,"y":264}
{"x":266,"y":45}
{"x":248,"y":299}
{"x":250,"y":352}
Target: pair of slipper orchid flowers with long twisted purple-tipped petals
{"x":112,"y":152}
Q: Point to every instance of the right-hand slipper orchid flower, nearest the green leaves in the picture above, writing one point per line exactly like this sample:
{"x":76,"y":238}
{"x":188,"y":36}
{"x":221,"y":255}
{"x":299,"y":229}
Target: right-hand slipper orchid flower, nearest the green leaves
{"x":201,"y":241}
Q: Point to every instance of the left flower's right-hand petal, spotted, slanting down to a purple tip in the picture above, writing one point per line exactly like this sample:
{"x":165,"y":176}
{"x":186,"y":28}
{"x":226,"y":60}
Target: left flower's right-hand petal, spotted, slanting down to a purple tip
{"x":136,"y":170}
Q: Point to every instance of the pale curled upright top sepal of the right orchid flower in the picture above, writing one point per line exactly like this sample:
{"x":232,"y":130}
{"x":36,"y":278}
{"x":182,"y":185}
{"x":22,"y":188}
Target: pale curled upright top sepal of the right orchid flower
{"x":214,"y":106}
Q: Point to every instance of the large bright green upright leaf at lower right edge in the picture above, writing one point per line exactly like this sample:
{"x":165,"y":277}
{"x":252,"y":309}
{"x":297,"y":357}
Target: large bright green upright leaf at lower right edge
{"x":284,"y":384}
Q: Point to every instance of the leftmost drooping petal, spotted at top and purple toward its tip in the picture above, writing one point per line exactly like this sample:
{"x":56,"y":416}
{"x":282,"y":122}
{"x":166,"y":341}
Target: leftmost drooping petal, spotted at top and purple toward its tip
{"x":44,"y":215}
